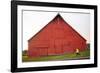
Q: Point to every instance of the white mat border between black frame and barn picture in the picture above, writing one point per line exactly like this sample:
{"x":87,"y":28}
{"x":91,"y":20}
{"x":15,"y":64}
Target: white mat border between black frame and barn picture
{"x":54,"y":63}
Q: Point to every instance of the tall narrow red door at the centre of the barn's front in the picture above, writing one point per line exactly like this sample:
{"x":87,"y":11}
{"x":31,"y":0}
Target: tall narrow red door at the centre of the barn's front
{"x":58,"y":46}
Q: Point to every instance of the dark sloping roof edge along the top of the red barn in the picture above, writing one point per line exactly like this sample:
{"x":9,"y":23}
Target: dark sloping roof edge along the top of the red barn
{"x":57,"y":16}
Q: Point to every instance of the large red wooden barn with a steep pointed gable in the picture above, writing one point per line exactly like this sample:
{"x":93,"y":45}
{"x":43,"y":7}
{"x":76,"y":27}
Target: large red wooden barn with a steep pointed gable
{"x":56,"y":38}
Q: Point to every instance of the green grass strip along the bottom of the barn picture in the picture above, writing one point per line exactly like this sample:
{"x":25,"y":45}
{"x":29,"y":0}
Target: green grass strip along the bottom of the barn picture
{"x":82,"y":55}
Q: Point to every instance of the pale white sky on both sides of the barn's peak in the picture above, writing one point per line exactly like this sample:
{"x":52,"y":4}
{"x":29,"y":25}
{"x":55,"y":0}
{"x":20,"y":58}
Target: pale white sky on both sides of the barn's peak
{"x":34,"y":21}
